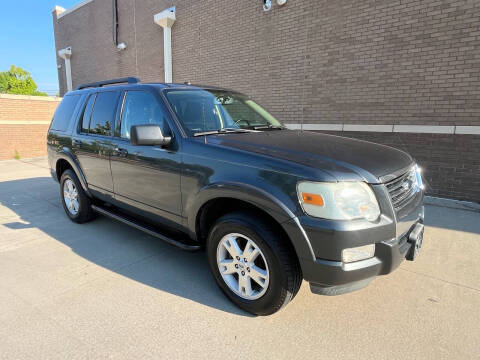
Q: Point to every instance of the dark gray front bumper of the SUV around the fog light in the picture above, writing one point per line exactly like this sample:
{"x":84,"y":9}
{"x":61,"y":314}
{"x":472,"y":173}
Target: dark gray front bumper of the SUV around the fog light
{"x":328,"y":275}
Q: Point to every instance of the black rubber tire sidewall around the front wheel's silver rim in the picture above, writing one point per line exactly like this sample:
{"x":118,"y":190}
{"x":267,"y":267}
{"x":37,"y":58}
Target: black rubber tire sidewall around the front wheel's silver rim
{"x":260,"y":236}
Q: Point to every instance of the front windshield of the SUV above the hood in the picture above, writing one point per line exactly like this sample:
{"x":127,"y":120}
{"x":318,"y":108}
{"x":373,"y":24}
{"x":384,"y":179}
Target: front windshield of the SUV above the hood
{"x":202,"y":110}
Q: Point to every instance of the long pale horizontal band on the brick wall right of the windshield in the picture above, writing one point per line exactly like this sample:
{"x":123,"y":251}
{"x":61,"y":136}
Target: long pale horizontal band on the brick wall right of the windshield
{"x":416,"y":129}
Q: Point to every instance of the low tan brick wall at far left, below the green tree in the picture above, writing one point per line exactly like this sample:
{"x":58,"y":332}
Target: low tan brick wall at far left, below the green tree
{"x":24,"y":121}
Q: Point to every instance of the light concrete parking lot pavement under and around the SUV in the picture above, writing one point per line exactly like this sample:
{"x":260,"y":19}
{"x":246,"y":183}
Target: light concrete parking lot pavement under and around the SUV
{"x":104,"y":290}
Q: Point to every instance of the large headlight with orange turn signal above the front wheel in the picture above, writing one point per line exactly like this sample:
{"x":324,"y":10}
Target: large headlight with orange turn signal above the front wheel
{"x":338,"y":201}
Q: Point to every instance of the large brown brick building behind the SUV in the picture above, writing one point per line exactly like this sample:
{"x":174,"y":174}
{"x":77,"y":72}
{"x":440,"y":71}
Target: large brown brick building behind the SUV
{"x":399,"y":72}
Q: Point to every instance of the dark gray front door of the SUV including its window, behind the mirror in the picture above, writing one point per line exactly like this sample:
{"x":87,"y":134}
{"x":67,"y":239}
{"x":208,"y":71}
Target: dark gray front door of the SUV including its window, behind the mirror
{"x":146,"y":177}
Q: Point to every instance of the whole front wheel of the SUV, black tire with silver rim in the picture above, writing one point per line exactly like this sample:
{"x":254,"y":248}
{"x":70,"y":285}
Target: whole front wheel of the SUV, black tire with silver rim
{"x":280,"y":278}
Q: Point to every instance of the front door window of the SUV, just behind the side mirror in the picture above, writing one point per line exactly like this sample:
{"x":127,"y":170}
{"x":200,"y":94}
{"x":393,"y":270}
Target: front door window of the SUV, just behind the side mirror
{"x":140,"y":108}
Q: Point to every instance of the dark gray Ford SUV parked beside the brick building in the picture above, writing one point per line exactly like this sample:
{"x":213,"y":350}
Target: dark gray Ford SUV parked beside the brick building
{"x":203,"y":167}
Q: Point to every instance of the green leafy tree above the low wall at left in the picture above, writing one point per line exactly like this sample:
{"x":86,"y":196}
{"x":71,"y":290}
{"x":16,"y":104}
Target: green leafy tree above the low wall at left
{"x":18,"y":81}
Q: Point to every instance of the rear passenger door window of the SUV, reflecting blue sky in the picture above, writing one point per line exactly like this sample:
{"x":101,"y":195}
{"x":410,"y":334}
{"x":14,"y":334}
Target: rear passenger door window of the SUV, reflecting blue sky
{"x":104,"y":113}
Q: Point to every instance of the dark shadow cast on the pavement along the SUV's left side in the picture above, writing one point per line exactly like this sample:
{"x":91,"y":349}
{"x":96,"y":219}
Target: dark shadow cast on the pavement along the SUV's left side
{"x":113,"y":245}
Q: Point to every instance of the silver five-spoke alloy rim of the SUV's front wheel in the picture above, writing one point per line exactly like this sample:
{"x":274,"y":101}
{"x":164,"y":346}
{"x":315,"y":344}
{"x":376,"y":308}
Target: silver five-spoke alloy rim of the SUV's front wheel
{"x":243,"y":266}
